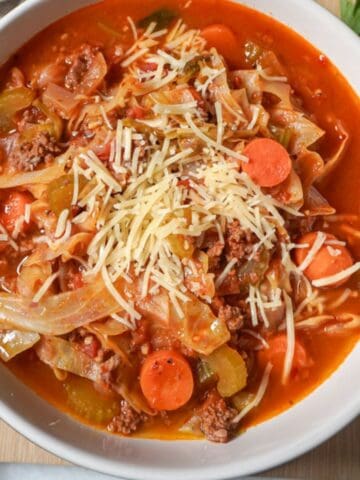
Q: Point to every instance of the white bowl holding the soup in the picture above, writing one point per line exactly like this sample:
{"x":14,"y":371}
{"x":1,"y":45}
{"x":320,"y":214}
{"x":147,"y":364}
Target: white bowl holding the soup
{"x":329,"y":408}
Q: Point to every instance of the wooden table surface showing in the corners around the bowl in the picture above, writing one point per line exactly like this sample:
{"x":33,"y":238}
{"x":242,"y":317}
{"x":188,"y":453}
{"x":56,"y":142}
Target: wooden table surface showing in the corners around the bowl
{"x":336,"y":459}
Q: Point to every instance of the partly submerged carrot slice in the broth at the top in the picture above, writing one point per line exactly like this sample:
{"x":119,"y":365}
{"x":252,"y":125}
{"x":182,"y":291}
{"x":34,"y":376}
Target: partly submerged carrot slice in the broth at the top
{"x":223,"y":39}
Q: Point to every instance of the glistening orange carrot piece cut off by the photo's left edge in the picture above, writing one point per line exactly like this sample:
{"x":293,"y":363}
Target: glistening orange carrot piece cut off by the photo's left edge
{"x":12,"y":207}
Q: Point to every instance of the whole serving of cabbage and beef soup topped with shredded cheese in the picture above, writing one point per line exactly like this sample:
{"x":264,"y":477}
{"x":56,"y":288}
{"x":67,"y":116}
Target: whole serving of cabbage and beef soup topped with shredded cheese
{"x":179,"y":217}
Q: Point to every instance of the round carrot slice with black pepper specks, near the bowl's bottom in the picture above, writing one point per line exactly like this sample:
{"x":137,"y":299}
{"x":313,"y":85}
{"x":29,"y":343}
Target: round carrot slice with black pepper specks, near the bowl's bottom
{"x":166,"y":380}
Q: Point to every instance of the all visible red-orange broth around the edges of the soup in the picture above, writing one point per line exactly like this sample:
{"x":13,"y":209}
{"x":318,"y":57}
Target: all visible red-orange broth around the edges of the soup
{"x":309,"y":73}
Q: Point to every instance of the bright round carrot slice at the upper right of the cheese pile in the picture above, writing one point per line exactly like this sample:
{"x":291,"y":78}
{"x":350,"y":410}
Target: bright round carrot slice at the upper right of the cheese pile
{"x":269,"y":163}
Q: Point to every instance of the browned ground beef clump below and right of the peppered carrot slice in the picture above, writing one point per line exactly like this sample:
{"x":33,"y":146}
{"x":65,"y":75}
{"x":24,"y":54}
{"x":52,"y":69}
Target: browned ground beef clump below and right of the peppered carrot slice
{"x":216,"y":418}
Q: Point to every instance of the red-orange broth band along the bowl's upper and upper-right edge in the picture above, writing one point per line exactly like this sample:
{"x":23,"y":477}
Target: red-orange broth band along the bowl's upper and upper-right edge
{"x":308,"y":70}
